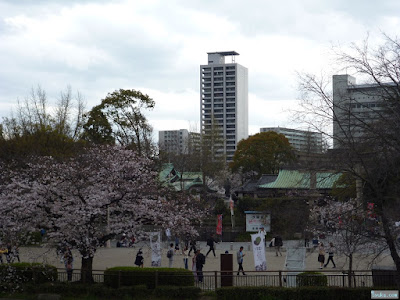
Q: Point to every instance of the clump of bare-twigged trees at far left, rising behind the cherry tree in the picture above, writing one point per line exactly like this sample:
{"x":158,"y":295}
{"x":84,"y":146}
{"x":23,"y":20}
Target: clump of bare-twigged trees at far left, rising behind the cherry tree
{"x":37,"y":128}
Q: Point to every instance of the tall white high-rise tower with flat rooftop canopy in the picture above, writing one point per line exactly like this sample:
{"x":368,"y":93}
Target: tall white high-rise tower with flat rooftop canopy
{"x":224,"y":101}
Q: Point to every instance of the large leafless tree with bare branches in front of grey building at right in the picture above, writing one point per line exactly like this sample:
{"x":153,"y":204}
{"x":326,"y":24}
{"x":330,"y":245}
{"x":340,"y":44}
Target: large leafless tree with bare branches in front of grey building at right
{"x":364,"y":132}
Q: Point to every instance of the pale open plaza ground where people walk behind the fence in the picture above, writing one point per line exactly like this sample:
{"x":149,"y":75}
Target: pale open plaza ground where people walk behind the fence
{"x":112,"y":257}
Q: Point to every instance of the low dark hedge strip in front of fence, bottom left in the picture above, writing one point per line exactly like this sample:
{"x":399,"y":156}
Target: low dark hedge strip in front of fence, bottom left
{"x":103,"y":292}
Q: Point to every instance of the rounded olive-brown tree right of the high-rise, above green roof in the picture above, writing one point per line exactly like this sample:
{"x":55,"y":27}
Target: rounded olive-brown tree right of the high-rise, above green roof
{"x":262,"y":153}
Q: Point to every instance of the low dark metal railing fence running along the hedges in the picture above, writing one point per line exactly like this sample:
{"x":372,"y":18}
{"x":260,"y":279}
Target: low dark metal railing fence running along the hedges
{"x":211,"y":280}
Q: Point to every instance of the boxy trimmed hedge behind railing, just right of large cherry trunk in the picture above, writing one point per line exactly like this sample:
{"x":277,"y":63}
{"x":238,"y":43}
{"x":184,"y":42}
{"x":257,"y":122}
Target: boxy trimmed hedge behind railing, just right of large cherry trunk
{"x":130,"y":276}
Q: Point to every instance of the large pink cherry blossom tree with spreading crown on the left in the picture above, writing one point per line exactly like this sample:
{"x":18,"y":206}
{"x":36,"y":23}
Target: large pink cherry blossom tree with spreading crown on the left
{"x":90,"y":198}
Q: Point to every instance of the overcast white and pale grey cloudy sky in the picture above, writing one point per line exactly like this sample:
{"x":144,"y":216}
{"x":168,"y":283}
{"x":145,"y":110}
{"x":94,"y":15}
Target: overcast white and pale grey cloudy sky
{"x":157,"y":47}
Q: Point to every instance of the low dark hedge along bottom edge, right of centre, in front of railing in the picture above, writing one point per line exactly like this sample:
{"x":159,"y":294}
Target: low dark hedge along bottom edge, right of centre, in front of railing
{"x":301,"y":293}
